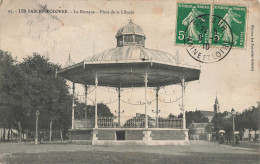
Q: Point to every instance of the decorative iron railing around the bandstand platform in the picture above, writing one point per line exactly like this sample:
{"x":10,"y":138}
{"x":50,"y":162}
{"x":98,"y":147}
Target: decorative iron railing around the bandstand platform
{"x":128,"y":122}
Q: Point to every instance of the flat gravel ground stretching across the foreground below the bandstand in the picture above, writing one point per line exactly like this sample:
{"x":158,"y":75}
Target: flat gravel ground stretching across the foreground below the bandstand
{"x":196,"y":152}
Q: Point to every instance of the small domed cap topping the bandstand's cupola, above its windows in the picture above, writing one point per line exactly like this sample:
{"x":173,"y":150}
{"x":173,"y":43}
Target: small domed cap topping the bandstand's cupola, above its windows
{"x":130,"y":28}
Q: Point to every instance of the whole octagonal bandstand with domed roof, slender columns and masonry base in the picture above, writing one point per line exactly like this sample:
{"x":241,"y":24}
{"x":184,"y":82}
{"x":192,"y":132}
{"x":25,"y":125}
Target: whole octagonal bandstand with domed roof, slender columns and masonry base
{"x":128,"y":65}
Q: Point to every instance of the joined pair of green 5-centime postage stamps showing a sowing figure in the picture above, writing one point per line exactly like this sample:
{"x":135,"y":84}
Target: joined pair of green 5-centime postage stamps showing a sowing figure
{"x":197,"y":22}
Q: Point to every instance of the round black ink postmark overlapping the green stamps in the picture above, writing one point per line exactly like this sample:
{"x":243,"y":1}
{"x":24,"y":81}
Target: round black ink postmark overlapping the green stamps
{"x":209,"y":38}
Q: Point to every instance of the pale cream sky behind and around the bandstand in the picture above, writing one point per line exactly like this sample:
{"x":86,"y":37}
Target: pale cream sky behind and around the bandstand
{"x":82,"y":35}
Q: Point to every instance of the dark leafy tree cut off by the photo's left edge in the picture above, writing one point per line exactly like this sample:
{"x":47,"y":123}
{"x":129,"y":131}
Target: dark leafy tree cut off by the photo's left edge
{"x":14,"y":99}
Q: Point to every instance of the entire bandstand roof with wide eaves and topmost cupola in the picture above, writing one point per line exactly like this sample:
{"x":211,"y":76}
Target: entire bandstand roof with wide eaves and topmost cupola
{"x":128,"y":63}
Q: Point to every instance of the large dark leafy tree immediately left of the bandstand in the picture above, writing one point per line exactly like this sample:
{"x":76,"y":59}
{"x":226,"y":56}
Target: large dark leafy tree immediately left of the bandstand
{"x":48,"y":93}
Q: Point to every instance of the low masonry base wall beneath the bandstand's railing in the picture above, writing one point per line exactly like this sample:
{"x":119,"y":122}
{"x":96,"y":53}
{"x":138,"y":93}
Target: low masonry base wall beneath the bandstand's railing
{"x":129,"y":136}
